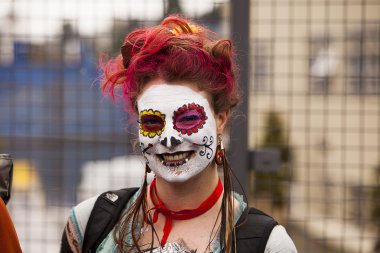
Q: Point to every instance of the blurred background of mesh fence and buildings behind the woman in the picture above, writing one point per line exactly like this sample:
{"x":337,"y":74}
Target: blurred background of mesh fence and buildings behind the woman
{"x":309,"y":125}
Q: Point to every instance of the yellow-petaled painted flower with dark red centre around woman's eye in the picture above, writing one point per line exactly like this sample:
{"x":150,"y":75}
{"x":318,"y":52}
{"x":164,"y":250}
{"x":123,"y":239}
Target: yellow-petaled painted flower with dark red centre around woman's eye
{"x":151,"y":123}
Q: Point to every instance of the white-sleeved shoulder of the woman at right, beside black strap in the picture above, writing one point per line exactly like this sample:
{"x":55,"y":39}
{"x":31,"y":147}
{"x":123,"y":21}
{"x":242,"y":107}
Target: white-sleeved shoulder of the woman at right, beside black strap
{"x":280,"y":241}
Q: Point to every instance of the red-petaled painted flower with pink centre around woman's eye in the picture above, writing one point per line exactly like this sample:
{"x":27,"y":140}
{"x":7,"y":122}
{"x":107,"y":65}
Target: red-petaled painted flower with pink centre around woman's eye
{"x":189,"y":118}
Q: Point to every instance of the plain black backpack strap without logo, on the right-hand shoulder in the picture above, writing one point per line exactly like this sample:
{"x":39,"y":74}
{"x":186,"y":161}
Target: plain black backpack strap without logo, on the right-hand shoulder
{"x":253,"y":231}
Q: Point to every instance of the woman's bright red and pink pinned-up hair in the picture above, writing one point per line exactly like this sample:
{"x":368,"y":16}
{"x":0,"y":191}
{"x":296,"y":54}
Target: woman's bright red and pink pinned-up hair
{"x":175,"y":50}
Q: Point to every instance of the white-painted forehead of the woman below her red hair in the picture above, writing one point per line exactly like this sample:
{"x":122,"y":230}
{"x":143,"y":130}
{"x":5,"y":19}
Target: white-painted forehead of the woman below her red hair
{"x":170,"y":97}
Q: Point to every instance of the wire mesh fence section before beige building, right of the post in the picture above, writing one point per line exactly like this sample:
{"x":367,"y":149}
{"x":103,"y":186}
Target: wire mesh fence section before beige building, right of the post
{"x":315,"y":88}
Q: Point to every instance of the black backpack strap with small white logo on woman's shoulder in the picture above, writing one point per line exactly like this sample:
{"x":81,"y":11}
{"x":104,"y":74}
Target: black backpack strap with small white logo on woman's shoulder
{"x":104,"y":216}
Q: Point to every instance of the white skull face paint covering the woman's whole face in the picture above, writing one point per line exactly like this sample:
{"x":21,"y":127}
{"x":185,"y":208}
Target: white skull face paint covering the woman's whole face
{"x":177,"y":131}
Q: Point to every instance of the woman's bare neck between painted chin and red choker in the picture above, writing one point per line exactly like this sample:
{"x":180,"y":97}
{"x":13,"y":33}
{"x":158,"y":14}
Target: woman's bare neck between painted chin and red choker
{"x":189,"y":194}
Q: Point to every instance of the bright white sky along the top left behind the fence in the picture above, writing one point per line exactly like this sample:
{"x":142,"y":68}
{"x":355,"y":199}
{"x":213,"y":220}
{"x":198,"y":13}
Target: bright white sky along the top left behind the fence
{"x":37,"y":20}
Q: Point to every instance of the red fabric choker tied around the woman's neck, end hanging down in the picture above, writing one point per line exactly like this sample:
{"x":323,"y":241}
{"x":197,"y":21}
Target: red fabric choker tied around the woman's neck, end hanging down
{"x":182,"y":214}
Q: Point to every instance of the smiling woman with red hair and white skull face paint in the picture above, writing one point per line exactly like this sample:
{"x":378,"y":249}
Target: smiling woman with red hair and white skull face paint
{"x":179,"y":78}
